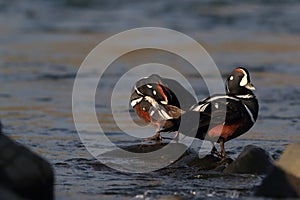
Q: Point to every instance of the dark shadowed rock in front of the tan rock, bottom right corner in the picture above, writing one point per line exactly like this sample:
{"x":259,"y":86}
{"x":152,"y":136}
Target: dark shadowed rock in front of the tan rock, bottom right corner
{"x":279,"y":184}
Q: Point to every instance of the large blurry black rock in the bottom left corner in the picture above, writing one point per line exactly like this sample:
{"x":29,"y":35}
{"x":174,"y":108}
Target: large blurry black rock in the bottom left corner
{"x":24,"y":174}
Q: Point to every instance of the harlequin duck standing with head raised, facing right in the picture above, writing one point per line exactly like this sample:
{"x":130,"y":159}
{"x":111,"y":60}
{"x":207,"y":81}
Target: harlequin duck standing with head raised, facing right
{"x":226,"y":116}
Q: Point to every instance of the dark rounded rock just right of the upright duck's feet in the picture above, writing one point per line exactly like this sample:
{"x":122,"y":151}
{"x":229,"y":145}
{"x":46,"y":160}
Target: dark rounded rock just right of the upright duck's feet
{"x":252,"y":160}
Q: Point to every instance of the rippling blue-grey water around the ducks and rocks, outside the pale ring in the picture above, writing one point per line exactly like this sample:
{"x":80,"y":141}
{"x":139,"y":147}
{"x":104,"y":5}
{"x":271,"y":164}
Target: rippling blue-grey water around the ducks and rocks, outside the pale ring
{"x":43,"y":44}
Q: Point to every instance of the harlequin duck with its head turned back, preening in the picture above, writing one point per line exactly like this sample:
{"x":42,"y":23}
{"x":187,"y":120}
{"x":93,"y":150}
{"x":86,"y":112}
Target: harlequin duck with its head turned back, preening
{"x":153,"y":99}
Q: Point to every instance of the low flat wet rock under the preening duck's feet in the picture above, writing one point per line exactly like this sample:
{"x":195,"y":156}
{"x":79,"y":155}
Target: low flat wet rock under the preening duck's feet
{"x":143,"y":158}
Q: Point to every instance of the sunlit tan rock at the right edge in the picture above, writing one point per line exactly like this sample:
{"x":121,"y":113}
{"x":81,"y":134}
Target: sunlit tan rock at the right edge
{"x":289,"y":161}
